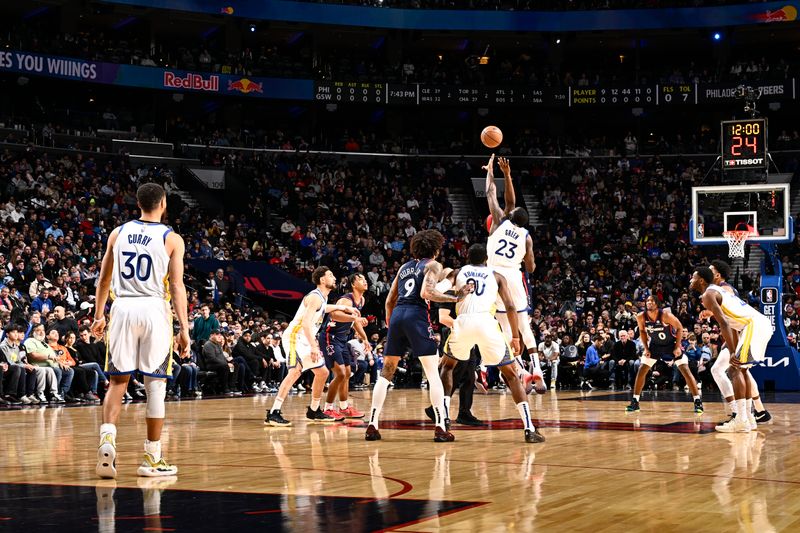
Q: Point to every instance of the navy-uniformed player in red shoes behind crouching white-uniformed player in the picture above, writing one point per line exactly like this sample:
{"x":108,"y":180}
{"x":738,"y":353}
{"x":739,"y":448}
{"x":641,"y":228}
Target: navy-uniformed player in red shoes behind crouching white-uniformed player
{"x":333,"y":341}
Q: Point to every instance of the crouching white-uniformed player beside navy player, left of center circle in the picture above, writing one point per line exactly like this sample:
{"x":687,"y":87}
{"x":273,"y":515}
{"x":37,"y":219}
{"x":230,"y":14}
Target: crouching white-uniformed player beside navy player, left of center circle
{"x":302,"y":348}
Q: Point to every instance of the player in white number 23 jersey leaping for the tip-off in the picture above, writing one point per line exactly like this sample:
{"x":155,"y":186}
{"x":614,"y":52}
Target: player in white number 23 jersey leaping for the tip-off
{"x":509,"y":247}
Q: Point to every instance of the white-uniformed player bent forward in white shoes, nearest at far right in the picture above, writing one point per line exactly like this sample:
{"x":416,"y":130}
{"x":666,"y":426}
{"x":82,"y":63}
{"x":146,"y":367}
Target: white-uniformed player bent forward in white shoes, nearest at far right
{"x":754,"y":330}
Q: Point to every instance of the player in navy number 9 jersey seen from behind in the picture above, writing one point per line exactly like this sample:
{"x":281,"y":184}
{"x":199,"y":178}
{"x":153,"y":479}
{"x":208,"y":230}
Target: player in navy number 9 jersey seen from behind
{"x":407,"y":315}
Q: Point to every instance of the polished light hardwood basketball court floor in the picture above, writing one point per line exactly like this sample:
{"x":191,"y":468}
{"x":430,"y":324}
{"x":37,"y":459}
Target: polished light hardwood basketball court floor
{"x":600,"y":469}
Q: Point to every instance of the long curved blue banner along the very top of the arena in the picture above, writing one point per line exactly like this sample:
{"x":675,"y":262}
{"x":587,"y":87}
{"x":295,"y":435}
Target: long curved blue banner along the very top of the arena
{"x":476,"y":20}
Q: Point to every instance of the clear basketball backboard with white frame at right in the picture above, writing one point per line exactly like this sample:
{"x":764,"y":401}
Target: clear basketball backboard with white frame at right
{"x":760,"y":208}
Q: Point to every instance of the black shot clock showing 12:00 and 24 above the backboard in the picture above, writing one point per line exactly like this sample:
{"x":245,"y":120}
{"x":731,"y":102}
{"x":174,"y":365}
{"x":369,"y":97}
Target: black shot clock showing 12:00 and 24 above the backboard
{"x":744,"y":144}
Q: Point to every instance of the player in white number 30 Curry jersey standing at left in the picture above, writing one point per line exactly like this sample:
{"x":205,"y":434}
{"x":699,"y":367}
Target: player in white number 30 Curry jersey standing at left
{"x":143,"y":267}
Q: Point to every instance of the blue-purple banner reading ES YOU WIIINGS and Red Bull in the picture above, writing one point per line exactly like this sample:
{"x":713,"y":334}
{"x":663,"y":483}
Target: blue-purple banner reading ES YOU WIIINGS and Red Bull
{"x":153,"y":77}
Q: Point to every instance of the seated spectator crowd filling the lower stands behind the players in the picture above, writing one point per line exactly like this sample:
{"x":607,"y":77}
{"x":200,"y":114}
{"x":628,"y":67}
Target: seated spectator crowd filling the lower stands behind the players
{"x":614,"y":233}
